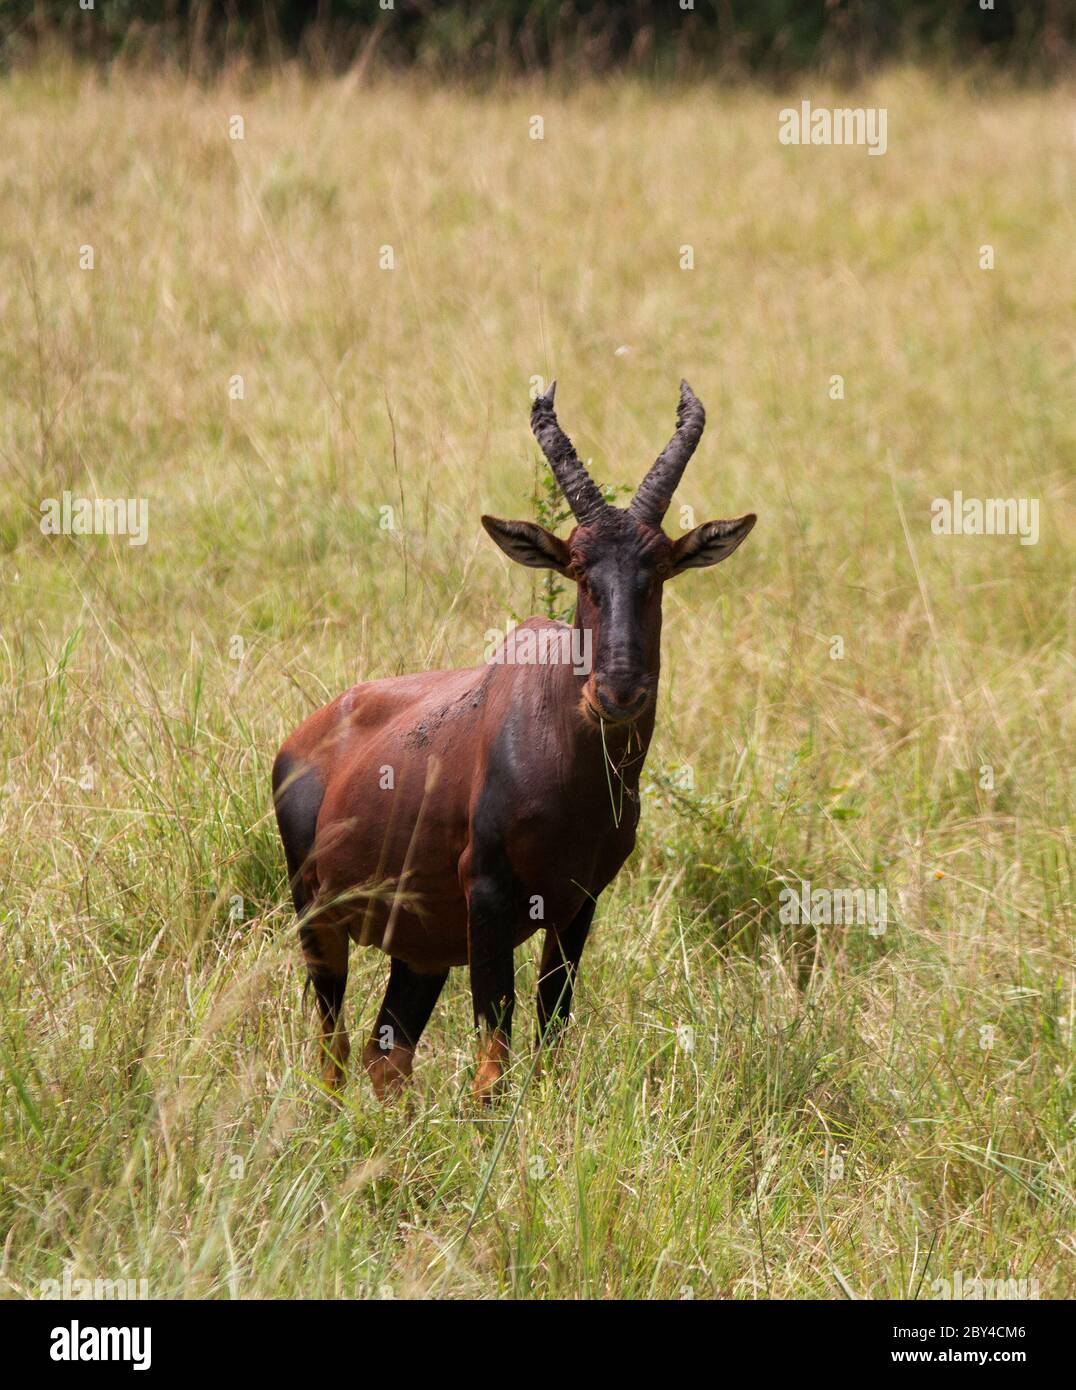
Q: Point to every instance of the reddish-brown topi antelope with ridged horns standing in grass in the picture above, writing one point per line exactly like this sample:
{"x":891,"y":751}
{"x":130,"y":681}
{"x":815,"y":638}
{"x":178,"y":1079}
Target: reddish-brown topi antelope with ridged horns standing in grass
{"x":447,"y":817}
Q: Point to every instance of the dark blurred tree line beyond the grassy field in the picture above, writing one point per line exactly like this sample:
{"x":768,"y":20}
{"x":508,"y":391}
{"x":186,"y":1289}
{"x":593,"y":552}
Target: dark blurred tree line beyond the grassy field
{"x":451,"y":38}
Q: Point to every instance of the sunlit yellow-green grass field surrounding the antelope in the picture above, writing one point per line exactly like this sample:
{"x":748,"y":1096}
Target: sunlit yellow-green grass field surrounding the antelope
{"x":743,"y":1107}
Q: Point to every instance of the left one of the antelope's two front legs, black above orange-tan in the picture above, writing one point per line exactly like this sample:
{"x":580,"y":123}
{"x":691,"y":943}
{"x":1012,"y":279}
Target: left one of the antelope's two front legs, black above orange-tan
{"x":493,"y":981}
